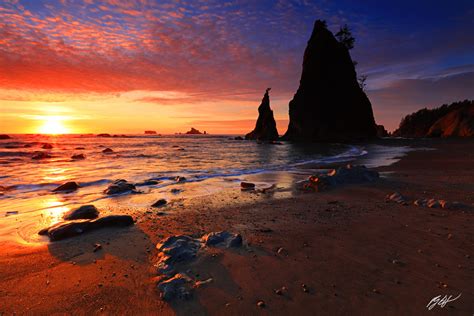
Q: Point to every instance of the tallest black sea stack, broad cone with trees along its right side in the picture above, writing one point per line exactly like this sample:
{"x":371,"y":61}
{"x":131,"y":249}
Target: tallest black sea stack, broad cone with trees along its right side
{"x":329,"y":104}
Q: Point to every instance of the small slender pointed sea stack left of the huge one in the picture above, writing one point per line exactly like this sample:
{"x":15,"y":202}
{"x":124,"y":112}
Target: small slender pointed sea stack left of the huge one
{"x":265,"y":128}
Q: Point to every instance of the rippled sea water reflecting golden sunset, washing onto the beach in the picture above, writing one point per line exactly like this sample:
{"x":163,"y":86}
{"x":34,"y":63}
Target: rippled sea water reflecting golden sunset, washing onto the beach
{"x":209,"y":164}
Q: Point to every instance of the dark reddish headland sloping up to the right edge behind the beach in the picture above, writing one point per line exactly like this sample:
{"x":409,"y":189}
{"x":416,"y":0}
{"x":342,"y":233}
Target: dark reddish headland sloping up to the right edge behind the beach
{"x":453,"y":120}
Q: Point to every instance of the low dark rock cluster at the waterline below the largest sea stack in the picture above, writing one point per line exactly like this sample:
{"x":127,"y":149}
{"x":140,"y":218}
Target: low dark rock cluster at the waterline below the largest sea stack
{"x":348,"y":174}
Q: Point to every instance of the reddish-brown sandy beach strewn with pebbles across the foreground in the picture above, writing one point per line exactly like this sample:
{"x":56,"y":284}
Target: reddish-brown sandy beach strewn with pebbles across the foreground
{"x":356,"y":253}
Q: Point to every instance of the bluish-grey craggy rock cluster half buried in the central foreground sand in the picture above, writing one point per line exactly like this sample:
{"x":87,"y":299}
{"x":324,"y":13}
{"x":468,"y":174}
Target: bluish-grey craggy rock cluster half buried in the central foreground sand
{"x":181,"y":249}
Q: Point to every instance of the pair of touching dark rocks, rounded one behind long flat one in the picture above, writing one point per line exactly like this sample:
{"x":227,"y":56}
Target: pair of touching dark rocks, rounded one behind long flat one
{"x":81,"y":220}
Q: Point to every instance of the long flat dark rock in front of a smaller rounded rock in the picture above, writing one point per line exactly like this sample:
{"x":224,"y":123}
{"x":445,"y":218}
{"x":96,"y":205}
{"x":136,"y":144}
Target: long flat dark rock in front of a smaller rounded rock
{"x":65,"y":230}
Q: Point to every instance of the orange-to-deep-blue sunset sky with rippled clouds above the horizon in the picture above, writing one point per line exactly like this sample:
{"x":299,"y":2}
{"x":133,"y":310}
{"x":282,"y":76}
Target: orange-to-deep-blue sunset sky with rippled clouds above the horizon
{"x":119,"y":66}
